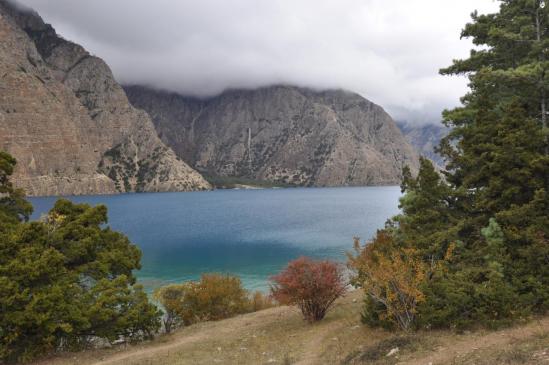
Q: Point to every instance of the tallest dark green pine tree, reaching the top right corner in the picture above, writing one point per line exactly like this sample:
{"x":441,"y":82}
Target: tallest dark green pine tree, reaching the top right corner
{"x":499,"y":167}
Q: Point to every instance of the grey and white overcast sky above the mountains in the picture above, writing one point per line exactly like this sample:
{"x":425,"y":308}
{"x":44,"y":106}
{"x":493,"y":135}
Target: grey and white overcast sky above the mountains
{"x":389,"y":51}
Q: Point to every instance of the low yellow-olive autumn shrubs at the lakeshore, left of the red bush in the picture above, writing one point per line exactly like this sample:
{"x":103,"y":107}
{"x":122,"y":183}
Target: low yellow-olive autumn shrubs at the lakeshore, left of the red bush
{"x":212,"y":298}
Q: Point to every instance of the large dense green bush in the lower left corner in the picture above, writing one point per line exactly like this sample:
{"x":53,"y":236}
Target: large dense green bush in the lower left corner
{"x":66,"y":279}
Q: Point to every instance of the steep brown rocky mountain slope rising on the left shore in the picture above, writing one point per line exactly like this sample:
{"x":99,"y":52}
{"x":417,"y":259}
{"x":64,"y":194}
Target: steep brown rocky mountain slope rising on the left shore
{"x":69,"y":123}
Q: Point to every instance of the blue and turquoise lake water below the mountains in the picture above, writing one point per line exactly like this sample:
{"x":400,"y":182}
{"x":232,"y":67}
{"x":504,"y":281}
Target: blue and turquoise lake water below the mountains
{"x":249,"y":233}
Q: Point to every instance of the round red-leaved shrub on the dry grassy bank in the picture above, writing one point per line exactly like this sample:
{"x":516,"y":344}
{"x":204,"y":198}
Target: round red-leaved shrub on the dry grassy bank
{"x":311,"y":285}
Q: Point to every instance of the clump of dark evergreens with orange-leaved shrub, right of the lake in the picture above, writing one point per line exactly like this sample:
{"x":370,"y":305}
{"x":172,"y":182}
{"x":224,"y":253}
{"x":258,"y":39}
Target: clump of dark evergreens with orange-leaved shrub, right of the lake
{"x":473,"y":249}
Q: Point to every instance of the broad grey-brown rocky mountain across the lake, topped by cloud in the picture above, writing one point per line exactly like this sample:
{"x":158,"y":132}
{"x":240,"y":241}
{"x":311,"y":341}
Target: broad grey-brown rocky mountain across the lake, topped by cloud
{"x":283,"y":134}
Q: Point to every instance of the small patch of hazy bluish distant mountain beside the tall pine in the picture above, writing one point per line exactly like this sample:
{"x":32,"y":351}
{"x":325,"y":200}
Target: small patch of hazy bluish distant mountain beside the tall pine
{"x":425,"y":138}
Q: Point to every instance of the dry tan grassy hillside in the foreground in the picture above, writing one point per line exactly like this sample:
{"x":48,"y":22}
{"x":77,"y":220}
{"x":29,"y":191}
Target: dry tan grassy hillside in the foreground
{"x":280,"y":336}
